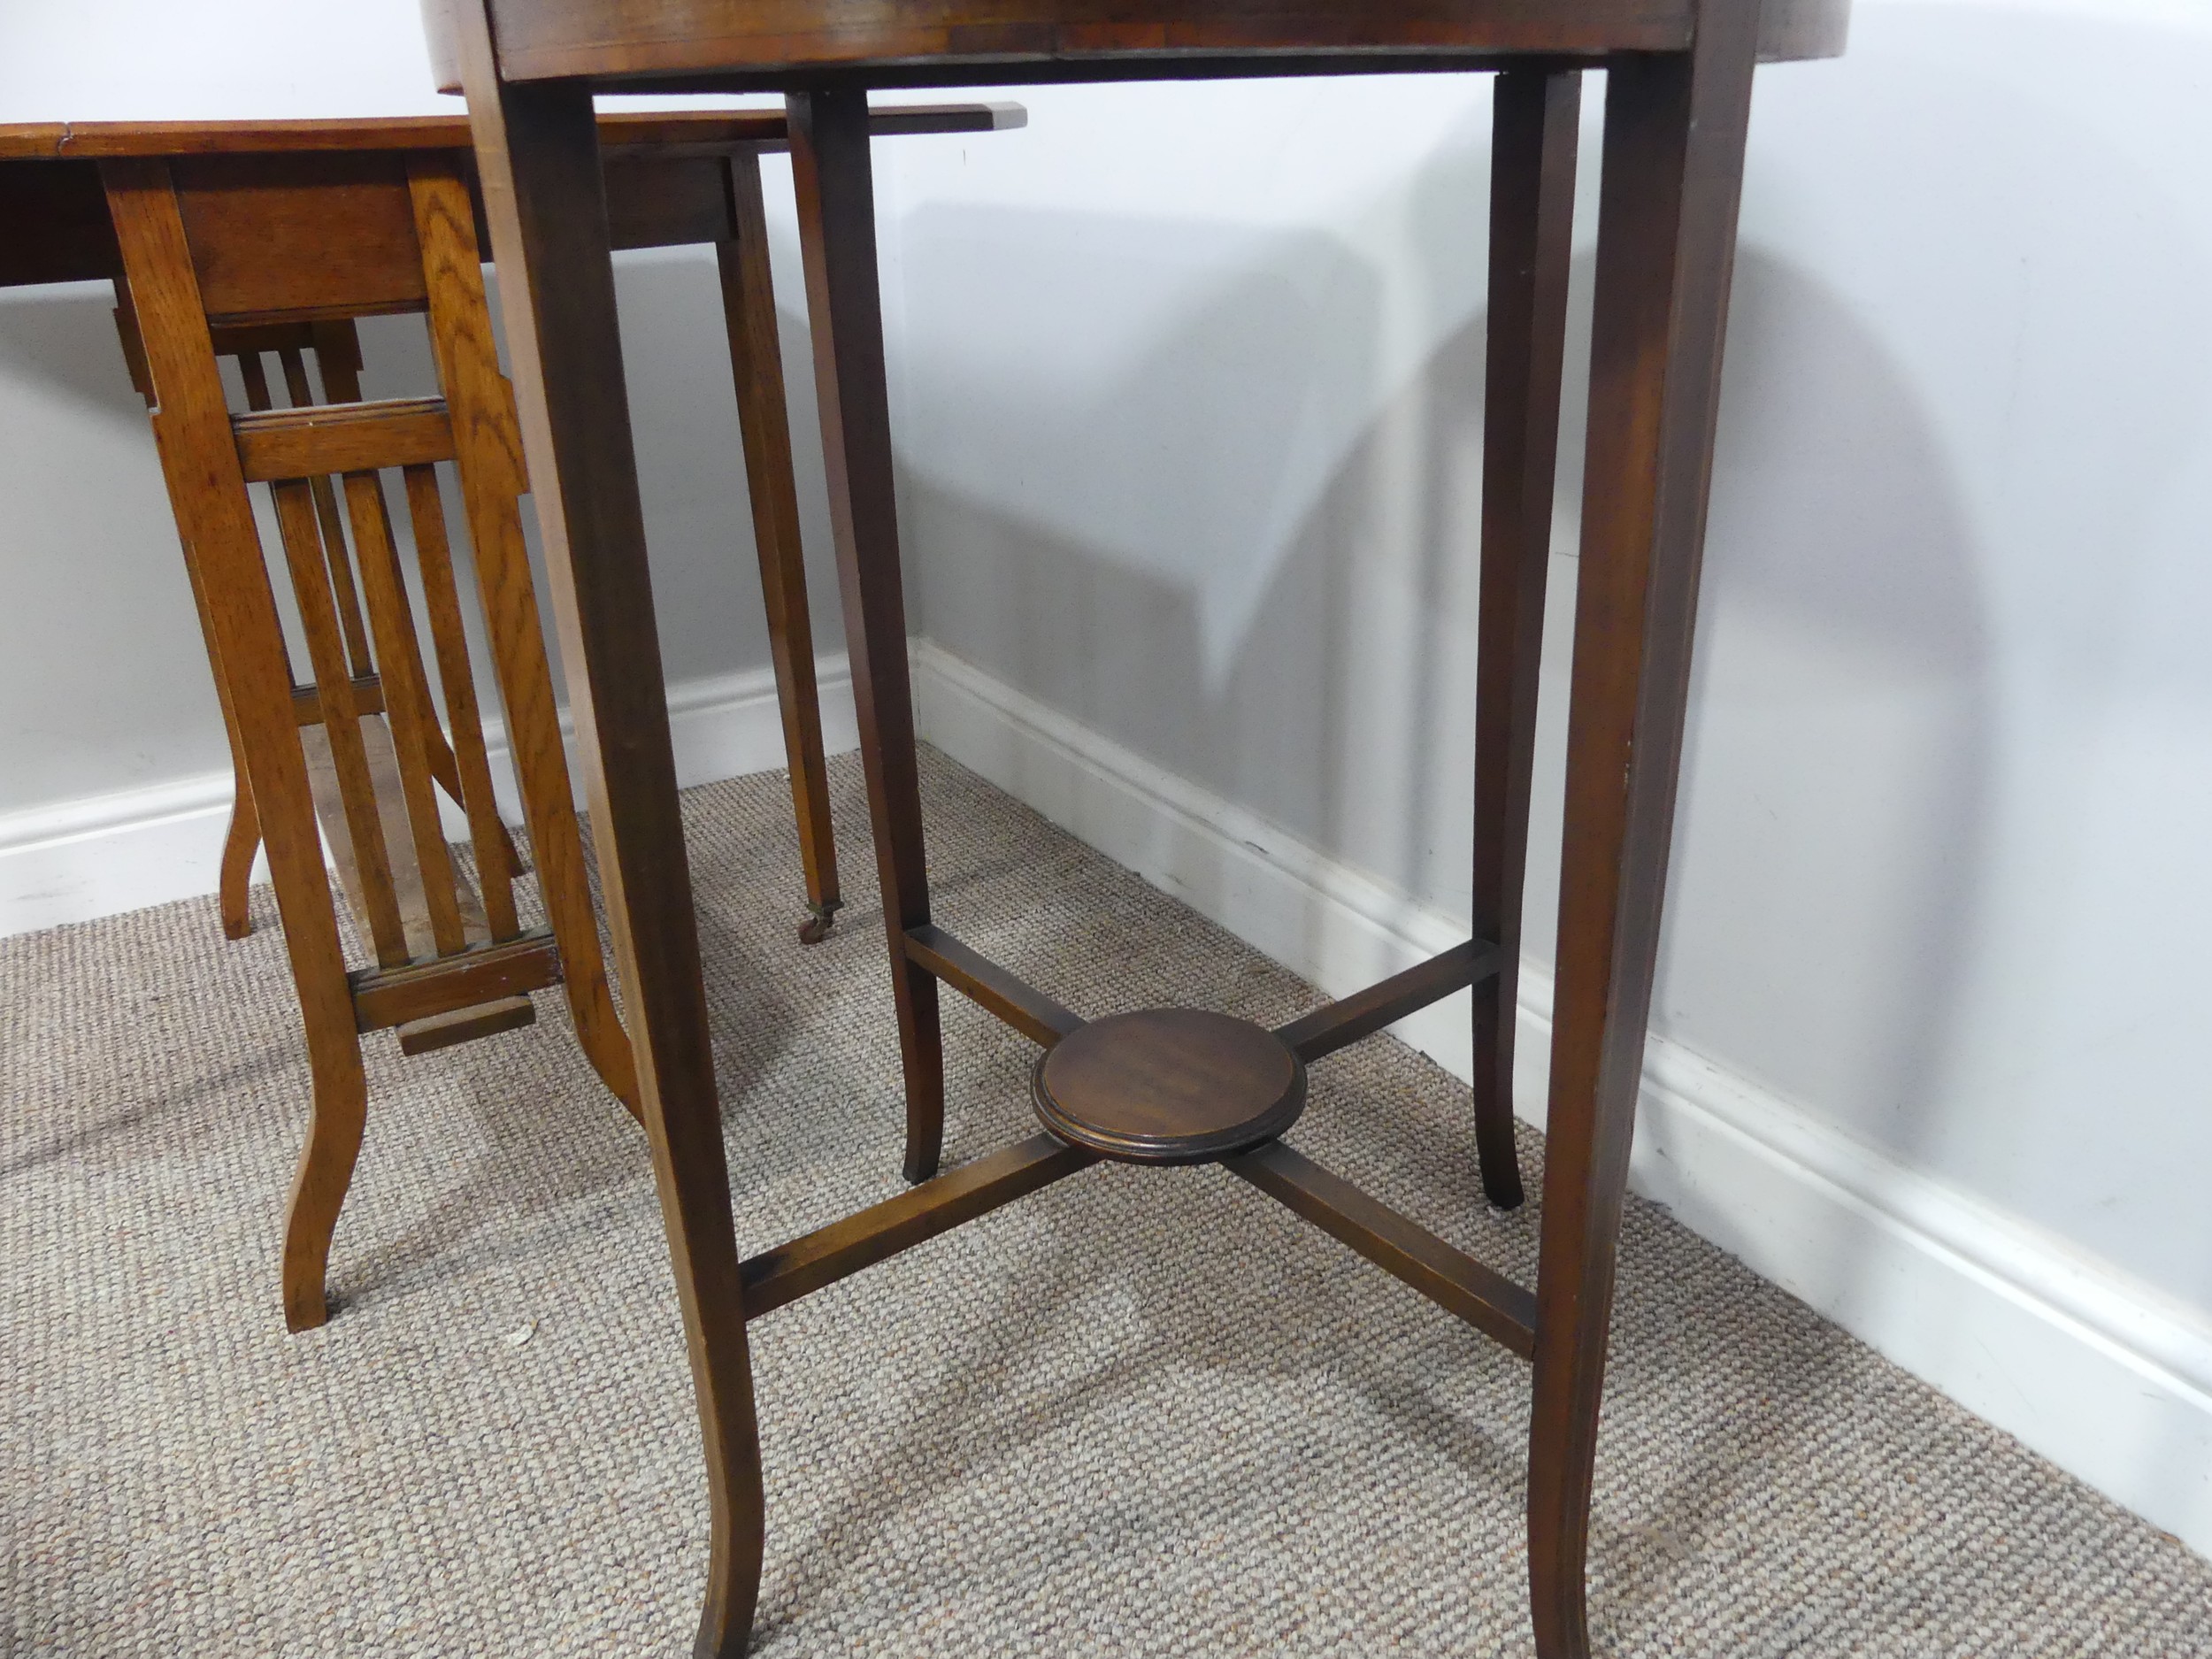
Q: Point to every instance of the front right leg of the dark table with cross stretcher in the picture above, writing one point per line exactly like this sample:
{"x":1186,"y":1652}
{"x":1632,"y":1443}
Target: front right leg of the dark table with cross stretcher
{"x":1665,"y":253}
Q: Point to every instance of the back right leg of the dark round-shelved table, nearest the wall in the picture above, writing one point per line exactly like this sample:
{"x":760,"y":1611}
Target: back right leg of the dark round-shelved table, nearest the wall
{"x":1536,"y":118}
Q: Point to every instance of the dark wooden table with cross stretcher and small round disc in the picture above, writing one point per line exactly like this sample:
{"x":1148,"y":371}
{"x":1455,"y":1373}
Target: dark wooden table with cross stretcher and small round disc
{"x":1165,"y":1085}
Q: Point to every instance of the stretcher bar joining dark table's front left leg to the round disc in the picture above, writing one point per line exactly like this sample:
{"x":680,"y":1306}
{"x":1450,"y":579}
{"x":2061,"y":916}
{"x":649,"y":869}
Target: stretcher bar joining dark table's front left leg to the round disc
{"x":879,"y":1233}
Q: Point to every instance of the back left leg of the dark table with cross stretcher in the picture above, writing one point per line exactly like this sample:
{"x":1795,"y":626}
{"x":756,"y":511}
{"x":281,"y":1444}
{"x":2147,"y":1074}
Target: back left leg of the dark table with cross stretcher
{"x":837,"y":225}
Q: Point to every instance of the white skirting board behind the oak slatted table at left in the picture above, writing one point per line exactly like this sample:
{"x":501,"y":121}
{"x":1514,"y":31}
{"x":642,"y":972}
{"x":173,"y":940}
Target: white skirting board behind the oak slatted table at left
{"x":114,"y":853}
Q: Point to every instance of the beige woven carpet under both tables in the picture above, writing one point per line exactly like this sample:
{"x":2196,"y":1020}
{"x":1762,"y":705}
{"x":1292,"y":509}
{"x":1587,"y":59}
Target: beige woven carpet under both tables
{"x":1138,"y":1415}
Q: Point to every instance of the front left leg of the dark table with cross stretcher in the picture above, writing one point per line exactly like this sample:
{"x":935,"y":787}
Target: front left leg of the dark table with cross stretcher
{"x":539,"y":160}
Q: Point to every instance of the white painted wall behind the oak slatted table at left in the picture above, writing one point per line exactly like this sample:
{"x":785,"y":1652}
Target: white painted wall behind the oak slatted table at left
{"x":87,"y":536}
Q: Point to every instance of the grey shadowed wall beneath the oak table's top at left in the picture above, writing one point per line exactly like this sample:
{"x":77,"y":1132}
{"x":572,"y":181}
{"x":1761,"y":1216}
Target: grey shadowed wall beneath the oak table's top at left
{"x":92,"y":547}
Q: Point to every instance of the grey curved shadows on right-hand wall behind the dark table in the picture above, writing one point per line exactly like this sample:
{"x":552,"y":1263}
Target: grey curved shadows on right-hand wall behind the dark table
{"x":1114,"y":547}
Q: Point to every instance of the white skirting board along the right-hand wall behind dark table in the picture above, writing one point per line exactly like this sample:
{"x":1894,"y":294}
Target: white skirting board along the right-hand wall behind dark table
{"x":2087,"y":1366}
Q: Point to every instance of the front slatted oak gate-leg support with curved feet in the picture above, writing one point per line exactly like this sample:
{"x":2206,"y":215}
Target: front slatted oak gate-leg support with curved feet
{"x":362,"y":751}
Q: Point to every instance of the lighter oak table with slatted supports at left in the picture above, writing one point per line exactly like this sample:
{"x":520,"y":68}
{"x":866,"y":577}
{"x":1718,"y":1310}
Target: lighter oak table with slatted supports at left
{"x":269,"y":240}
